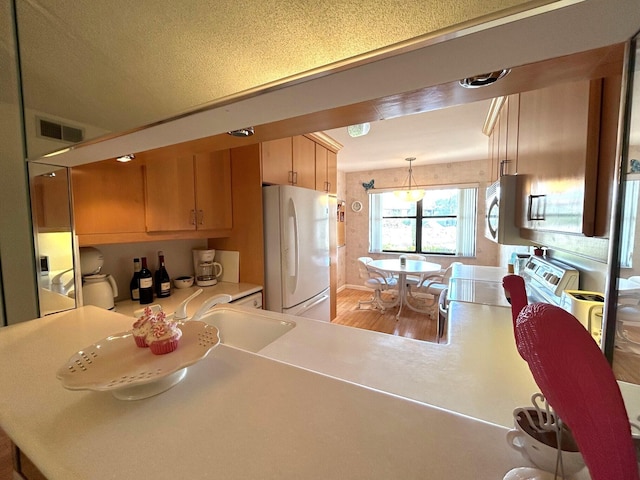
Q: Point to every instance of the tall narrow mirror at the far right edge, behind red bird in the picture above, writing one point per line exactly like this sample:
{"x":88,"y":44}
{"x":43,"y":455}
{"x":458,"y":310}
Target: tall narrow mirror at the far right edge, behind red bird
{"x":622,"y":342}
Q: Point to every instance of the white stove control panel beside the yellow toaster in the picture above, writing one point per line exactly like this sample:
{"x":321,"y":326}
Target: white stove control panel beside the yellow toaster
{"x":546,"y":279}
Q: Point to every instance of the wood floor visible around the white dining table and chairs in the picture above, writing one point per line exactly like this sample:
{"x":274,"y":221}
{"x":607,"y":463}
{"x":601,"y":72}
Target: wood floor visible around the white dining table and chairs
{"x":410,"y":324}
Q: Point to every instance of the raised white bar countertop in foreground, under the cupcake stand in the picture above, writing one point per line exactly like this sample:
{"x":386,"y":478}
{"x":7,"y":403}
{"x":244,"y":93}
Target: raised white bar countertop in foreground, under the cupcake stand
{"x":235,"y":415}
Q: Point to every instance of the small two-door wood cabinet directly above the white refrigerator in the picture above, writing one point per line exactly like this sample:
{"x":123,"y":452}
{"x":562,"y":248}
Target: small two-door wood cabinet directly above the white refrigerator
{"x":289,"y":161}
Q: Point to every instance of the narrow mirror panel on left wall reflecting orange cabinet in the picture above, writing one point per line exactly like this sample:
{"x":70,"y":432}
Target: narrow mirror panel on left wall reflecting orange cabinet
{"x":53,"y":237}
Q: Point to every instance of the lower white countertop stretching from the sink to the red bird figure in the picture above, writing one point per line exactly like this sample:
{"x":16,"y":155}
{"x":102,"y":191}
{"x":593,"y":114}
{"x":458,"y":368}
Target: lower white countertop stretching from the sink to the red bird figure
{"x":478,"y":373}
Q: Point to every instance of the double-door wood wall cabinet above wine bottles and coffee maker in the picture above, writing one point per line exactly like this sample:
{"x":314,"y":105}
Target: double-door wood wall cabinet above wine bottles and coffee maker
{"x":188,"y":192}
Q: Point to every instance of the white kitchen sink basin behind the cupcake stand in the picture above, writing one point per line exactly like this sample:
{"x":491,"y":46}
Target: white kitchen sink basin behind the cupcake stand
{"x":246,"y":328}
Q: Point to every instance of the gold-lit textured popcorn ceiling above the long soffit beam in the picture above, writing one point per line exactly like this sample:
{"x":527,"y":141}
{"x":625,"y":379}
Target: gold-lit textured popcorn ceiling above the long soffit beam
{"x":121,"y":64}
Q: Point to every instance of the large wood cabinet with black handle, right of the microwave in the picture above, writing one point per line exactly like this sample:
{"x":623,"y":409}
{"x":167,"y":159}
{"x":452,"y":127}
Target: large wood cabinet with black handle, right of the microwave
{"x":558,"y":142}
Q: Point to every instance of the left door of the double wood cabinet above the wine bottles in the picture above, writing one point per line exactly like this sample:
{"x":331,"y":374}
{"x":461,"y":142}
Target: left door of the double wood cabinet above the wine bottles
{"x":170,"y":195}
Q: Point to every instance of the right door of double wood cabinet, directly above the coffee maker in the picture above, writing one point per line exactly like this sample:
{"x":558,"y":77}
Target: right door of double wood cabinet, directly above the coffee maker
{"x":213,"y":190}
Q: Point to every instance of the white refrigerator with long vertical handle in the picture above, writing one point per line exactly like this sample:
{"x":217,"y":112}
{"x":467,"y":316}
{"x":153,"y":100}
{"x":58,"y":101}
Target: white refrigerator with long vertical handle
{"x":296,"y":243}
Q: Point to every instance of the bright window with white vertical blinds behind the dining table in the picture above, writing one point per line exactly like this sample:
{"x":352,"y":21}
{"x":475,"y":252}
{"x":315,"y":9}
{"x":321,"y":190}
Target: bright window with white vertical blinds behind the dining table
{"x":442,"y":223}
